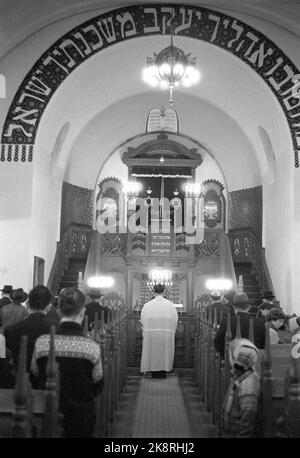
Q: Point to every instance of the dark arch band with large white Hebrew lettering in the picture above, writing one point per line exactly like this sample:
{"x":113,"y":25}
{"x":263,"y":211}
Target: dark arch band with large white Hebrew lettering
{"x":100,"y":32}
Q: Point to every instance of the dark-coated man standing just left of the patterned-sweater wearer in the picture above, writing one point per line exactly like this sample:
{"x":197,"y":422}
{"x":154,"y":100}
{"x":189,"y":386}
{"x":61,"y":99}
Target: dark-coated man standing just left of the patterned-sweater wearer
{"x":35,"y":324}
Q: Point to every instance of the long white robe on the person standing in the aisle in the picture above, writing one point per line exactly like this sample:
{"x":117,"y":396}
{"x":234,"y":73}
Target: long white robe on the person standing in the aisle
{"x":159,"y":320}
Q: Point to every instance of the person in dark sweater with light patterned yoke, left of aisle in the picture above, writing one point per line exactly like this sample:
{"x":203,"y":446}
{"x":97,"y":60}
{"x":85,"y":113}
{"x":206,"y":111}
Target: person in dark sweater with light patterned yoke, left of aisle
{"x":79,"y":363}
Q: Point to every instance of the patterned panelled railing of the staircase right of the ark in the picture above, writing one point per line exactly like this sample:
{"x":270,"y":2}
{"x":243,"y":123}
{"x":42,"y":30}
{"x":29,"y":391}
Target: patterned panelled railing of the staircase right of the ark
{"x":246,"y":247}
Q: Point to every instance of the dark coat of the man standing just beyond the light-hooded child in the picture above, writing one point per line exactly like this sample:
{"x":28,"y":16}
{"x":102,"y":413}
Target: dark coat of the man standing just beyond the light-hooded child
{"x":258,"y":327}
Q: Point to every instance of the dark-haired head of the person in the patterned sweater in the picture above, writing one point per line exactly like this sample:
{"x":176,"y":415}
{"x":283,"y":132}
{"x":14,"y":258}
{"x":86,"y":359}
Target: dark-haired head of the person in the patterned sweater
{"x":72,"y":304}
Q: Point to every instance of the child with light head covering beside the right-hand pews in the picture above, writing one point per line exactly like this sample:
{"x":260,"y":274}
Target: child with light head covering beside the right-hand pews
{"x":240,"y":407}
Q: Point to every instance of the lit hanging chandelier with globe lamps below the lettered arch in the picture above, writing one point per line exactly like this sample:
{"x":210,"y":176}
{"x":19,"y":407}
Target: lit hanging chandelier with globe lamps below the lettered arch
{"x":170,"y":69}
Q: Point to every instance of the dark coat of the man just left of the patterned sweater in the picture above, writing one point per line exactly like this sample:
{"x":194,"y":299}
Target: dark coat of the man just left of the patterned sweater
{"x":33,"y":326}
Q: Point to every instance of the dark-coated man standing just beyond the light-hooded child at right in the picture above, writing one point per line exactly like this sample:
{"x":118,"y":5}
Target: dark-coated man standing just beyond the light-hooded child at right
{"x":241,"y":308}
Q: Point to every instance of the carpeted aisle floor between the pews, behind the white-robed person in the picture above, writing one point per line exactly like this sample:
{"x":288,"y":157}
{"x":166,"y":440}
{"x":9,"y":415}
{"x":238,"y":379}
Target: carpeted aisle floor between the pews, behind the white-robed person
{"x":156,"y":408}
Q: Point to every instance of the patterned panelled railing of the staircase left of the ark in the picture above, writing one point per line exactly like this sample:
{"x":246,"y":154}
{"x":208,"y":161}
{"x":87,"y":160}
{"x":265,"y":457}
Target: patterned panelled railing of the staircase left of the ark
{"x":74,"y":243}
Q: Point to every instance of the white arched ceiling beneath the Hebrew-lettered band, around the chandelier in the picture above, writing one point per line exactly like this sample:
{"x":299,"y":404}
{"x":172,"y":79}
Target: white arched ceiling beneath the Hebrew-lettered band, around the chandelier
{"x":106,"y":102}
